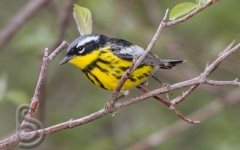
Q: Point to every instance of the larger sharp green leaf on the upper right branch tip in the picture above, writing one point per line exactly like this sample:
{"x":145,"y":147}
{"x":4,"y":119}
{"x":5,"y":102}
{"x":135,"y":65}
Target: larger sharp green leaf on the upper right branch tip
{"x":182,"y":9}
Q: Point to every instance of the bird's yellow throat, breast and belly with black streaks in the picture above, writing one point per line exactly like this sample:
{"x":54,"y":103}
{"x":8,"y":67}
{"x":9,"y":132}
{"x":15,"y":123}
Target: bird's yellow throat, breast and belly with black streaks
{"x":105,"y":69}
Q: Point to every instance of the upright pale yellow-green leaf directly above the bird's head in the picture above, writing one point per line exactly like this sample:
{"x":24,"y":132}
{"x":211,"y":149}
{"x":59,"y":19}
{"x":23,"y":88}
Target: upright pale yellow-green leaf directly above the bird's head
{"x":83,"y":19}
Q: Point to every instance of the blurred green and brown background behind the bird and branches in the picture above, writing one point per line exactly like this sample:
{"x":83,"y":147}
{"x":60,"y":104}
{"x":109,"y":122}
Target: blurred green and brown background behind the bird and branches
{"x":68,"y":95}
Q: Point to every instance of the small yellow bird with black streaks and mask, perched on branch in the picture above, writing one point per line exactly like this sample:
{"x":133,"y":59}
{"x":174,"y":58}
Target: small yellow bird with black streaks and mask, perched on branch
{"x":104,"y":60}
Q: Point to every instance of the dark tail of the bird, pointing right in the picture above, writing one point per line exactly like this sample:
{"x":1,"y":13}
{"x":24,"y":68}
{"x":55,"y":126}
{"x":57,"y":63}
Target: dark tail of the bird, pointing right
{"x":170,"y":64}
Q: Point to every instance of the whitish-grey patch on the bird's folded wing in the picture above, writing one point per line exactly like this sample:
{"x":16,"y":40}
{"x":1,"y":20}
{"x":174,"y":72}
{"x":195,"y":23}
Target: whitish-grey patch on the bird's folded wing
{"x":132,"y":50}
